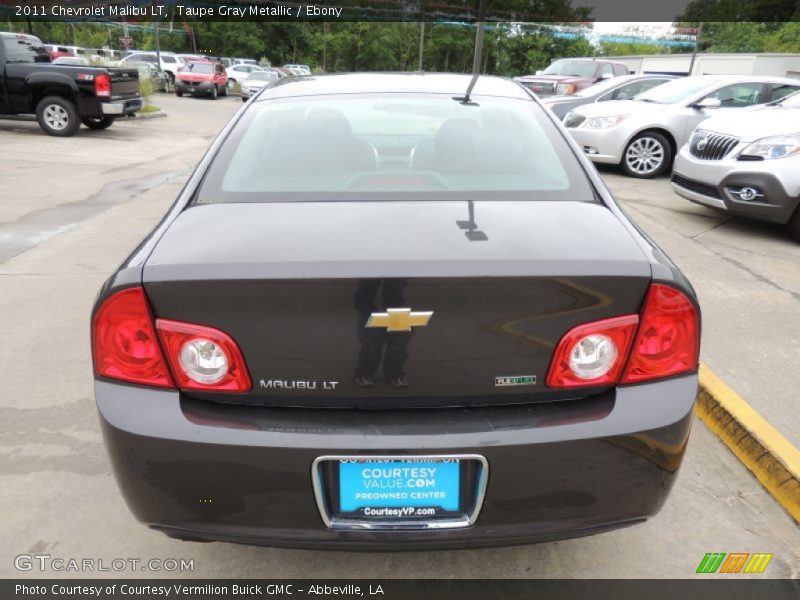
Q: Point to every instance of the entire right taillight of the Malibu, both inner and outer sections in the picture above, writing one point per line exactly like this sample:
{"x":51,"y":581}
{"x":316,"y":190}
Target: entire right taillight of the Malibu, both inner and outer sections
{"x":665,"y":343}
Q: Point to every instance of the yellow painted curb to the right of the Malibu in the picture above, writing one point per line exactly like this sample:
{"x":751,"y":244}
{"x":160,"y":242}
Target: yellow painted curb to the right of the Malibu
{"x":763,"y":450}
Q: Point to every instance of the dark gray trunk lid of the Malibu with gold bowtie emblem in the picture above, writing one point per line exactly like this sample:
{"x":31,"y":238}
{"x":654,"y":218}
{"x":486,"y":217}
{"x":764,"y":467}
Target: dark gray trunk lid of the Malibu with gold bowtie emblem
{"x":295,"y":284}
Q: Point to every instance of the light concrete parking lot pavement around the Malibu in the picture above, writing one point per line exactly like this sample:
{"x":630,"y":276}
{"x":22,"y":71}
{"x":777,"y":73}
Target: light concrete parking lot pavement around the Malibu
{"x":72,"y":209}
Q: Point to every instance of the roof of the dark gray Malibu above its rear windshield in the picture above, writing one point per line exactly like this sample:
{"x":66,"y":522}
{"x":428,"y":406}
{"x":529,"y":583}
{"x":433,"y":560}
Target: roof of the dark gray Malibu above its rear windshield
{"x":374,"y":83}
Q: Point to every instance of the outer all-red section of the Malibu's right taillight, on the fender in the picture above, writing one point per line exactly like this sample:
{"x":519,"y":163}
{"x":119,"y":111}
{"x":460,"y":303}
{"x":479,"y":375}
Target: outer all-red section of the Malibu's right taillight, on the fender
{"x":668,"y":340}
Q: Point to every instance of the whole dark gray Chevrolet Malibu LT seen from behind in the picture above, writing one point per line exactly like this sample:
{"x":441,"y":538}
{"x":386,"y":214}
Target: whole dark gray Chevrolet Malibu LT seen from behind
{"x":395,"y":311}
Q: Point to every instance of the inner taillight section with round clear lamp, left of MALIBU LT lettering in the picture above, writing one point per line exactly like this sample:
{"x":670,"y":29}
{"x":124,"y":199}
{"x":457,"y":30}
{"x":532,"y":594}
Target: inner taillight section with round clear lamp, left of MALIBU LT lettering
{"x":203,"y":358}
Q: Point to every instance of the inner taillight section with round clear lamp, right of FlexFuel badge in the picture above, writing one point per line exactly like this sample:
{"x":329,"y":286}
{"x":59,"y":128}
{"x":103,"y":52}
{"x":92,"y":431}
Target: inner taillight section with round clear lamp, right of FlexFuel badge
{"x":592,"y":354}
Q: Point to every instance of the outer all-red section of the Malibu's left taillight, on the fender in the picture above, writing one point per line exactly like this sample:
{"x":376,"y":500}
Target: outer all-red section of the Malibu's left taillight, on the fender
{"x":124,"y":341}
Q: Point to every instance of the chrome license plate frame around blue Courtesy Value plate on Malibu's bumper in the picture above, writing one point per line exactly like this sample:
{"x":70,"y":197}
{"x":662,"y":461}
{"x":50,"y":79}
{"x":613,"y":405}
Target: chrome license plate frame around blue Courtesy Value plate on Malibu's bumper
{"x":473,"y":472}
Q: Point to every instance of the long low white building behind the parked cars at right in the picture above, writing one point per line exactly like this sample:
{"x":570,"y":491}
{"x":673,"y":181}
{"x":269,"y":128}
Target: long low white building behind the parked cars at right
{"x":778,"y":65}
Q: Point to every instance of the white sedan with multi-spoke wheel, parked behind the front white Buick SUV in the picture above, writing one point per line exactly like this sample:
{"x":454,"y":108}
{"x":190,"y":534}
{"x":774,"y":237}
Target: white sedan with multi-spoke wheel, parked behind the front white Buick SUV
{"x":642,"y":135}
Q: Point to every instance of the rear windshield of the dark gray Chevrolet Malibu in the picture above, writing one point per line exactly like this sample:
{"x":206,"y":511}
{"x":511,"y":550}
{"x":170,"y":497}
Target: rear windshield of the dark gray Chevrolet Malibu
{"x":389,"y":146}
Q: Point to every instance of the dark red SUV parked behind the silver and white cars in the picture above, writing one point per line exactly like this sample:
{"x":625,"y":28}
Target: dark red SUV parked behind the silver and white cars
{"x":569,"y":75}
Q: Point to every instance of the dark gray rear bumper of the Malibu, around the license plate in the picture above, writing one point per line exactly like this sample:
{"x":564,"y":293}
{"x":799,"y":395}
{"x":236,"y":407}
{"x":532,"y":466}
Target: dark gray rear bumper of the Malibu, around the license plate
{"x":240,"y":474}
